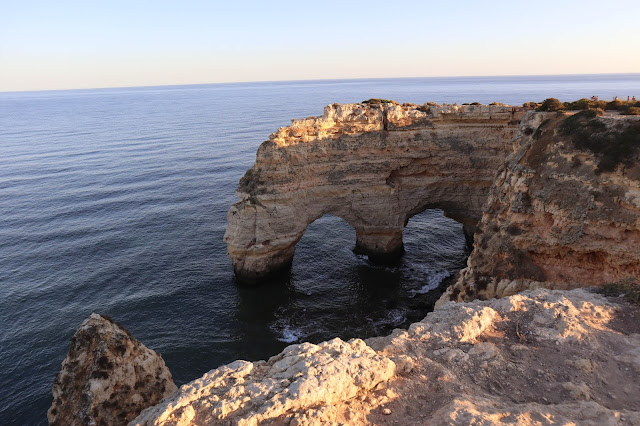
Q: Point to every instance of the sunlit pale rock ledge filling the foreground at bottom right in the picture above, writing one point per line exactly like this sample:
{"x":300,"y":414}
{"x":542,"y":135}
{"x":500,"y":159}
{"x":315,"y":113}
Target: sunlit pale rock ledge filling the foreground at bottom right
{"x":540,"y":357}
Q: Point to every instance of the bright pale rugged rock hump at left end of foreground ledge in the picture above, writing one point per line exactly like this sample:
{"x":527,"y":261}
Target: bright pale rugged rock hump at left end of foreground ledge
{"x":299,"y":378}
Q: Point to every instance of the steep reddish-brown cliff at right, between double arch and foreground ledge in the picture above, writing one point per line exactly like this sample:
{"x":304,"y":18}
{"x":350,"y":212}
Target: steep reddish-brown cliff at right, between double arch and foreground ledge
{"x":551,"y":220}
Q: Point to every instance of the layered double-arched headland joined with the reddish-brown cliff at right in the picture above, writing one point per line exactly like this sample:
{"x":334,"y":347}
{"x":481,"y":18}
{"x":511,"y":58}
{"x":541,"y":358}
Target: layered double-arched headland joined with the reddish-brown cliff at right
{"x":542,"y":211}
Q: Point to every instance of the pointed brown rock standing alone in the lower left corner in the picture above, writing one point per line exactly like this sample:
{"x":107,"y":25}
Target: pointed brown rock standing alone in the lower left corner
{"x":107,"y":378}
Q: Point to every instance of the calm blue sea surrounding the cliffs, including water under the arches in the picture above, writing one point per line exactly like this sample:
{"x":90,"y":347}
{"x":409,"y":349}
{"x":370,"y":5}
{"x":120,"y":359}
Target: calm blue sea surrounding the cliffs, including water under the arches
{"x":114,"y":201}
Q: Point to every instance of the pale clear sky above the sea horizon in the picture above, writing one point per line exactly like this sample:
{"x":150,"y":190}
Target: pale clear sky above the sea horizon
{"x":46,"y":45}
